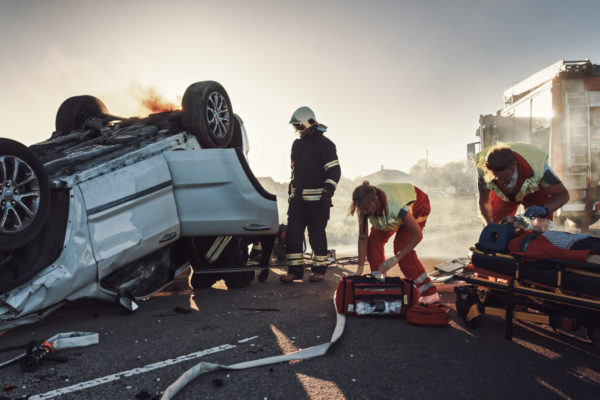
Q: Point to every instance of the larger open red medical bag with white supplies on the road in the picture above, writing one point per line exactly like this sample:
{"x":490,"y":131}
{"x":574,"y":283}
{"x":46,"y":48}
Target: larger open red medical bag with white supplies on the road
{"x":365,"y":295}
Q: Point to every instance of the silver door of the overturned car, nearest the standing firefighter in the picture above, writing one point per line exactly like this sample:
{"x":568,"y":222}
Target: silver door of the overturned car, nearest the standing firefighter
{"x":217,"y":194}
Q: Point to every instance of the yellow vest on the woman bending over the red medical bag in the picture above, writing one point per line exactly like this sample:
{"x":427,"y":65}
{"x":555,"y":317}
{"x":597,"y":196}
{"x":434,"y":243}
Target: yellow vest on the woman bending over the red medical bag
{"x":397,"y":195}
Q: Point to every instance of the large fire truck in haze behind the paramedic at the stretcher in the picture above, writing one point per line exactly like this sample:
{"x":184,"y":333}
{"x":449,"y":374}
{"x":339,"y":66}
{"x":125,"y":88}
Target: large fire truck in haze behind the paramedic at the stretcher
{"x":558,"y":110}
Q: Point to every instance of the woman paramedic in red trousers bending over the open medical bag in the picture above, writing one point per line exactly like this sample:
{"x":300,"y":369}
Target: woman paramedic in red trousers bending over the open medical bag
{"x":393,"y":208}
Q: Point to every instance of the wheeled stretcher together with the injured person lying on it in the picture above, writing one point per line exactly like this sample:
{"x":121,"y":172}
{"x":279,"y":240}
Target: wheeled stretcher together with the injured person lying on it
{"x":525,"y":272}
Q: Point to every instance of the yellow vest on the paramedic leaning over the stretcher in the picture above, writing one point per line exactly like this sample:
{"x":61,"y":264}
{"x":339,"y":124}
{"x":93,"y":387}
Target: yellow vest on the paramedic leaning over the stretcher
{"x":536,"y":159}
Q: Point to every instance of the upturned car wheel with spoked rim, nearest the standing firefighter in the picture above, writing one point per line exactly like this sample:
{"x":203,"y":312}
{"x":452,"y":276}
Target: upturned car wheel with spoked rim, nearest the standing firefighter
{"x":207,"y":114}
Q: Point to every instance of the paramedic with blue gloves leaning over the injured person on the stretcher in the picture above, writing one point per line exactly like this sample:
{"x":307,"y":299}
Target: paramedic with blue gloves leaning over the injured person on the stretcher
{"x":513,"y":174}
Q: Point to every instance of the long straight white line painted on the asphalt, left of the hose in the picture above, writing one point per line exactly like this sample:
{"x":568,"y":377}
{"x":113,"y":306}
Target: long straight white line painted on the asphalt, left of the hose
{"x":136,"y":371}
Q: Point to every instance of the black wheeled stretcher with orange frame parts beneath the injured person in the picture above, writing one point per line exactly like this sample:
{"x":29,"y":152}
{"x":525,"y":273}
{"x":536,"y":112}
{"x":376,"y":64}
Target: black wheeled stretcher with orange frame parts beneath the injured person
{"x":560,"y":293}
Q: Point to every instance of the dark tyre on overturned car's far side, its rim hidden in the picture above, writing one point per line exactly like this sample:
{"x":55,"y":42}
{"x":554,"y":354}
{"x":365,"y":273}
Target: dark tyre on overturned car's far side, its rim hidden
{"x":74,"y":111}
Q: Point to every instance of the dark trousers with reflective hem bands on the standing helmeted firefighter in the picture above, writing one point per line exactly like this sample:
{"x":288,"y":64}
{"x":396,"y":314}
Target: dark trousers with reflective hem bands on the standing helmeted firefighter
{"x":302,"y":215}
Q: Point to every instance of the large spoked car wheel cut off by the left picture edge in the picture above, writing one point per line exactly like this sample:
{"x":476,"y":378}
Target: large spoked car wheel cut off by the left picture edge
{"x":24,"y":195}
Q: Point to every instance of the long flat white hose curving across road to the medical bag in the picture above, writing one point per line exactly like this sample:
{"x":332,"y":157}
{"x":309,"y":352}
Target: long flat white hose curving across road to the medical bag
{"x":205,"y":367}
